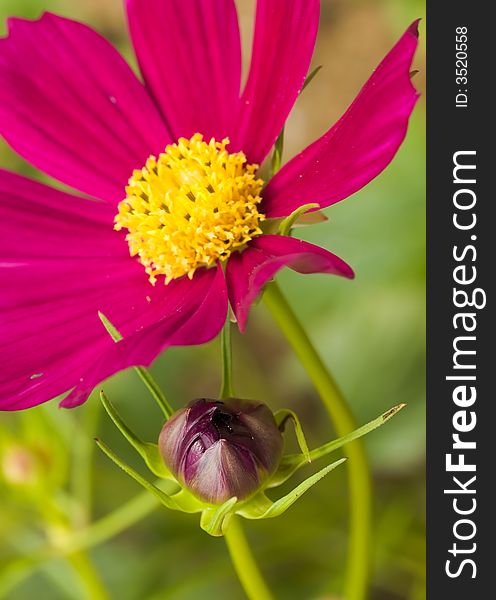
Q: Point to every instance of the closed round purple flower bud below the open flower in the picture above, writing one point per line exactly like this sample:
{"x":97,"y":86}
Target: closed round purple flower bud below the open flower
{"x":222,"y":449}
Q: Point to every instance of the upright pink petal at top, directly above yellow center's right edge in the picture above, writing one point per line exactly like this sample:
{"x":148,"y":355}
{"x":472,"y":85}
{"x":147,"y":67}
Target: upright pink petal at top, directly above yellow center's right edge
{"x":283,"y":44}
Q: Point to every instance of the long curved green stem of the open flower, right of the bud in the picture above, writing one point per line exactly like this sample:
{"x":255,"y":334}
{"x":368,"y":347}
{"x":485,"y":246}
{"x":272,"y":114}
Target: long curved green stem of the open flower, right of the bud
{"x":344,"y":422}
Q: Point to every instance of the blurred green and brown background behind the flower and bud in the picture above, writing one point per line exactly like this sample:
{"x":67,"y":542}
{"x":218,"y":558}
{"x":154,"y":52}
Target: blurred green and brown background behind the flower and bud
{"x":369,"y":331}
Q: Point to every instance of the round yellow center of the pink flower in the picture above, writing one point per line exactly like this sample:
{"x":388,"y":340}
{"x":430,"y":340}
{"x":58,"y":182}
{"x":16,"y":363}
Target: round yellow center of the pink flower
{"x":193,"y":205}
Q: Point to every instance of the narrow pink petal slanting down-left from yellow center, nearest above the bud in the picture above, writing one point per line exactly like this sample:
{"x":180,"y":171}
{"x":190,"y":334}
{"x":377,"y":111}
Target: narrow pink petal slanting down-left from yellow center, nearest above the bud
{"x":197,"y":321}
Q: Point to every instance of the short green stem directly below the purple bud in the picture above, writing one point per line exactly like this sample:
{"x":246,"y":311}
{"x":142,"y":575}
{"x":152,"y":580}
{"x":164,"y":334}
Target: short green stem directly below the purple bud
{"x":246,"y":568}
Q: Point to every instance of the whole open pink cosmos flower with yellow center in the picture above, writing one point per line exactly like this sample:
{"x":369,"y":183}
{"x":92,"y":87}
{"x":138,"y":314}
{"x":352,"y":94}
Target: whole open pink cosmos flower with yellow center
{"x":159,"y":207}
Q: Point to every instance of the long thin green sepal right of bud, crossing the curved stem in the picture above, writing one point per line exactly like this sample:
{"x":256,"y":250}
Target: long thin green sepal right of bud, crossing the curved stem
{"x":292,"y":462}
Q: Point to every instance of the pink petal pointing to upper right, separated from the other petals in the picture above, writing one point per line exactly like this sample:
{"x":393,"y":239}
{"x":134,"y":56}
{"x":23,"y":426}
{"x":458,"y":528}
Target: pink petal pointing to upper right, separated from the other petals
{"x":359,"y":146}
